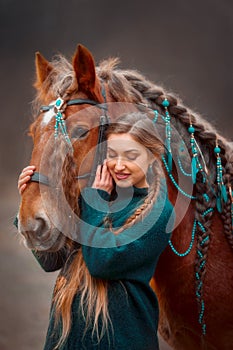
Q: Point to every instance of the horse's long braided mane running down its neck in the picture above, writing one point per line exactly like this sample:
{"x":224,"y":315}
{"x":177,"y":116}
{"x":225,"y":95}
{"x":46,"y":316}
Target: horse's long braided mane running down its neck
{"x":129,"y":85}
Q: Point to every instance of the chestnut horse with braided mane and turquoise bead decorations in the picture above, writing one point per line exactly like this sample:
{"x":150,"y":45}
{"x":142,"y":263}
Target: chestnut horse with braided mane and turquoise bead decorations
{"x":194,"y":277}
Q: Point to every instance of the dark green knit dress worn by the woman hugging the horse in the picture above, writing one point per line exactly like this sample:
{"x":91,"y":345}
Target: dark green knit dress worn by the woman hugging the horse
{"x":127,"y":261}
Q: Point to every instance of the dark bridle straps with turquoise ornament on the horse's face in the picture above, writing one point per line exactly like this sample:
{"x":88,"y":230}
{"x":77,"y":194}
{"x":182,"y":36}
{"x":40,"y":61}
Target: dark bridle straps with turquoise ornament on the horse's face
{"x":59,"y":108}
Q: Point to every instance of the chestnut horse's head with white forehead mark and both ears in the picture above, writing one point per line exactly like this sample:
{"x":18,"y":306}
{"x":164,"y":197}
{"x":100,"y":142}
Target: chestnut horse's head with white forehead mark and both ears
{"x":64,"y":135}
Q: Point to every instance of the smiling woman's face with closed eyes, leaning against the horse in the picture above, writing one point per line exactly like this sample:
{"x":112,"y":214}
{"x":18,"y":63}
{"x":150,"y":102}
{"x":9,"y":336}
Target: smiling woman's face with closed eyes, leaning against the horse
{"x":127,"y":161}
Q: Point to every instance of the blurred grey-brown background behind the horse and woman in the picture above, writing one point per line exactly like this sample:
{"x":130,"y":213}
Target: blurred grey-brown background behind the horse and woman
{"x":184,"y":45}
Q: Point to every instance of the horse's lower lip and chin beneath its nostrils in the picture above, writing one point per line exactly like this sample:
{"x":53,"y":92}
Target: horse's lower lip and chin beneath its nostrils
{"x":53,"y":244}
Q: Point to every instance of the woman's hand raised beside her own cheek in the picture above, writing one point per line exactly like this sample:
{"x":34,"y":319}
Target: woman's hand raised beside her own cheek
{"x":103,"y":179}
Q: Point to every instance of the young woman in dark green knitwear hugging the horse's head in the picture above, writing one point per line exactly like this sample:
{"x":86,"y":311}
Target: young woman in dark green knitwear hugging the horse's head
{"x":123,"y":230}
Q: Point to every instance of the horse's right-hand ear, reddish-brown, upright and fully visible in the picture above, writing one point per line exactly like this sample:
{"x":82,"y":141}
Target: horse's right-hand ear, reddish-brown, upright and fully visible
{"x":84,"y":67}
